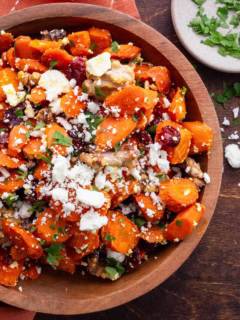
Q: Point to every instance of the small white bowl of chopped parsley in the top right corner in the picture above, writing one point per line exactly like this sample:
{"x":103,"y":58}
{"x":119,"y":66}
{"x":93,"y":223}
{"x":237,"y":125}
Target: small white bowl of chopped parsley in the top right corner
{"x":183,"y":11}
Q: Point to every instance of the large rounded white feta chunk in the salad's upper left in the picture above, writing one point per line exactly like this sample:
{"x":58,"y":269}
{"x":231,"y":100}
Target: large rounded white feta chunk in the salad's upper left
{"x":55,"y":83}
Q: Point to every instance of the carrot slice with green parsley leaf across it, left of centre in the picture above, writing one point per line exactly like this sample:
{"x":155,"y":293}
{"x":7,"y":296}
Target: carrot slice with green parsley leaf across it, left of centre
{"x":51,"y":130}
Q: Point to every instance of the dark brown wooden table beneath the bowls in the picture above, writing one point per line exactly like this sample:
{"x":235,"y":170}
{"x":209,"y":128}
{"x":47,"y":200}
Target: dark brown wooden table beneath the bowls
{"x":207,"y":286}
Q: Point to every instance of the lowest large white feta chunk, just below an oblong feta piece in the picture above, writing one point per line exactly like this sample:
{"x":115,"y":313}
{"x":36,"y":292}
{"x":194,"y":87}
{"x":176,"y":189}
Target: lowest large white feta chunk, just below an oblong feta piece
{"x":92,"y":220}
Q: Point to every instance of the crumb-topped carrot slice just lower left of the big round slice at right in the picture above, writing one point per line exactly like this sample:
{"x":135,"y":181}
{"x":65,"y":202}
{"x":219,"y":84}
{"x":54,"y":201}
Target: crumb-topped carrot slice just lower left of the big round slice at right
{"x":152,"y":211}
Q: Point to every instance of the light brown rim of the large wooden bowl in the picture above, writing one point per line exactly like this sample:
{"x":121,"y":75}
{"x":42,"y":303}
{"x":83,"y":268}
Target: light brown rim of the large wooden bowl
{"x":176,"y":258}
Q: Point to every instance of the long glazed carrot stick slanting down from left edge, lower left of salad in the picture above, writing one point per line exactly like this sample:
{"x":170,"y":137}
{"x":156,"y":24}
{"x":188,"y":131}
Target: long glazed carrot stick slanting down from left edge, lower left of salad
{"x":22,"y":238}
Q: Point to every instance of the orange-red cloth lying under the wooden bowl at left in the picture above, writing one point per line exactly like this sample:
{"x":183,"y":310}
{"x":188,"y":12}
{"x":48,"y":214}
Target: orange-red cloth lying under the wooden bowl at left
{"x":126,"y":6}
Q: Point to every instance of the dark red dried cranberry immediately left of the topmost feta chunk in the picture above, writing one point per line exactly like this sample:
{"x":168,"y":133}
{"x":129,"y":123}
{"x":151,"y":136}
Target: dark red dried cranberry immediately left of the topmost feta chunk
{"x":76,"y":70}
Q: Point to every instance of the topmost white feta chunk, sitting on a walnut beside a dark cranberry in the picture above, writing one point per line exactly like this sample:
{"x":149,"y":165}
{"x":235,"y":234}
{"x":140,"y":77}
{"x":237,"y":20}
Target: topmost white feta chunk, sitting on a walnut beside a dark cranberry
{"x":100,"y":64}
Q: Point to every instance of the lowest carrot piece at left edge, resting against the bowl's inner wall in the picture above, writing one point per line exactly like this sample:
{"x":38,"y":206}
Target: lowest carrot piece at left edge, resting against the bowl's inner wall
{"x":9,"y":274}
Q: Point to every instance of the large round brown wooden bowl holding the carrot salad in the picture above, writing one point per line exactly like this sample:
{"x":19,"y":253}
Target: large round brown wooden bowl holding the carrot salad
{"x":60,"y":293}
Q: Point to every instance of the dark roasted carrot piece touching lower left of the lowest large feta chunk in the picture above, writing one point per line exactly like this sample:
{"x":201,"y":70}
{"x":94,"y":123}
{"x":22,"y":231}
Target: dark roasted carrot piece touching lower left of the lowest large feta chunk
{"x":84,"y":242}
